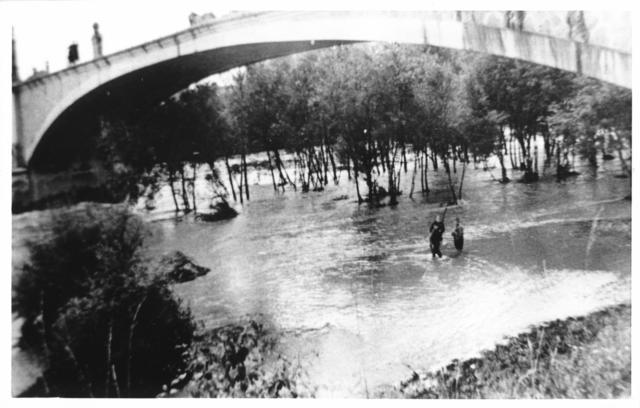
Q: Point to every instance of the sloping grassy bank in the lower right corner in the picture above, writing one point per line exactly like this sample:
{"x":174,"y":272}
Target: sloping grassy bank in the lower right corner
{"x":583,"y":357}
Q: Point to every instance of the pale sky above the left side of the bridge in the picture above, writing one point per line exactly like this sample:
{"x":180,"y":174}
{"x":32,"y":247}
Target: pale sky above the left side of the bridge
{"x":44,"y":29}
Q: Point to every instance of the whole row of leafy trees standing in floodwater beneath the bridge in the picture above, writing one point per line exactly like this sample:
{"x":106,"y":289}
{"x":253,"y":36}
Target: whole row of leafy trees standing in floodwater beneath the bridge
{"x":369,"y":110}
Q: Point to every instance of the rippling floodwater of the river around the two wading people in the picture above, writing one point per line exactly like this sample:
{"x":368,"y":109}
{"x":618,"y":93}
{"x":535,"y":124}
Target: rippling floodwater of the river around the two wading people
{"x":357,"y":295}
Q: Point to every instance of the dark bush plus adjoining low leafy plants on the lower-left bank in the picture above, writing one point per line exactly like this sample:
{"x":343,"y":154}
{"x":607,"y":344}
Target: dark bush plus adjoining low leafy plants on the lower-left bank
{"x":103,"y":321}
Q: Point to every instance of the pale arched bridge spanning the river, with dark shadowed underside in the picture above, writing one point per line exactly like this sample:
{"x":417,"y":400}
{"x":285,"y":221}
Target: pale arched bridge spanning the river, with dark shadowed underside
{"x":55,"y":114}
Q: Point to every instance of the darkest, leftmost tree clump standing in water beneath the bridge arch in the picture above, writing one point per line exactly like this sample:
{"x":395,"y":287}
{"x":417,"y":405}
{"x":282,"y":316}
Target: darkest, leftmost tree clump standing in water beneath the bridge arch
{"x":167,"y":143}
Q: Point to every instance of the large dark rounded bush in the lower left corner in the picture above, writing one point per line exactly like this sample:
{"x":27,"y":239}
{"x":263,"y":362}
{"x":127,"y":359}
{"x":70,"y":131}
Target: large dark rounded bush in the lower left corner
{"x":101,"y":324}
